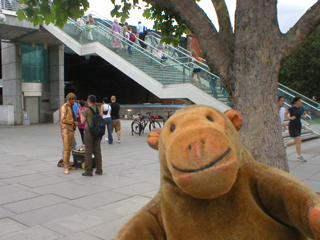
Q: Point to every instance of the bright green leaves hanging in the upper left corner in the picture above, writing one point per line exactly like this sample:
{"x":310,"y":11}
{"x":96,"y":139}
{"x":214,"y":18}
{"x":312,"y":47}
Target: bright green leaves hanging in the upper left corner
{"x":57,"y":11}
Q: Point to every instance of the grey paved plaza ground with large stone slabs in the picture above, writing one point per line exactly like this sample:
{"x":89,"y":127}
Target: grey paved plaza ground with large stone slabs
{"x":37,"y":201}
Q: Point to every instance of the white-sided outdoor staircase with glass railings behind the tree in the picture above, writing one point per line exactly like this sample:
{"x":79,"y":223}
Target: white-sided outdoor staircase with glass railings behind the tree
{"x":170,"y":79}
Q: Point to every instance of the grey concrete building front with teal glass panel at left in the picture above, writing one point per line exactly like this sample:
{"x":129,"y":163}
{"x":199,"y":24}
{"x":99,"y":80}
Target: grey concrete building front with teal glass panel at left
{"x":21,"y":82}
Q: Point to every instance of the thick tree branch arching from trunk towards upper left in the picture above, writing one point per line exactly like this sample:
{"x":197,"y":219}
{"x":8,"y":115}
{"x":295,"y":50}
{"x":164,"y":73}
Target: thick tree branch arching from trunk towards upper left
{"x":205,"y":31}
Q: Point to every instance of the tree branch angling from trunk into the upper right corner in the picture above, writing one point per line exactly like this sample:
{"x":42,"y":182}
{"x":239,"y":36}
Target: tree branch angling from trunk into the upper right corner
{"x":305,"y":26}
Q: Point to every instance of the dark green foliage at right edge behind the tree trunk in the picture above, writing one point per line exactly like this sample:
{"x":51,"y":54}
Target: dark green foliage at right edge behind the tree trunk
{"x":301,"y":71}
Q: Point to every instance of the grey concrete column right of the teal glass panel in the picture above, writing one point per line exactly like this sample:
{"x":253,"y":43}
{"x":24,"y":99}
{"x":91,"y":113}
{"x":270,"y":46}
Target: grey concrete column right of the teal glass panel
{"x":56,"y":76}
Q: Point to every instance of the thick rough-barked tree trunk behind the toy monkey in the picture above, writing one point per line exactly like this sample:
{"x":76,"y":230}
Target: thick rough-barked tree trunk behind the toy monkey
{"x":255,"y":74}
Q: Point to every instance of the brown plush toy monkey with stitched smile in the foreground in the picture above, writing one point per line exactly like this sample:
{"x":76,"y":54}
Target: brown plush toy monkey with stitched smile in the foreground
{"x":232,"y":198}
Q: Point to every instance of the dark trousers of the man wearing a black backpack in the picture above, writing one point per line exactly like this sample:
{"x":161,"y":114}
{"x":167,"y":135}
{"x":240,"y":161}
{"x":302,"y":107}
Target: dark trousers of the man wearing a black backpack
{"x":92,"y":147}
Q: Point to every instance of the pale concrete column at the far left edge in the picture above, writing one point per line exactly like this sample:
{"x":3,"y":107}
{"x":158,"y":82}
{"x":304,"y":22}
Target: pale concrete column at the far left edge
{"x":12,"y":78}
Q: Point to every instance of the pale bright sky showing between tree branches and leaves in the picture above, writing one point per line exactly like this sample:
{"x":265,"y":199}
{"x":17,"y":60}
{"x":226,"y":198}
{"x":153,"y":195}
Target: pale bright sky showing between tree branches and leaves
{"x":289,"y":11}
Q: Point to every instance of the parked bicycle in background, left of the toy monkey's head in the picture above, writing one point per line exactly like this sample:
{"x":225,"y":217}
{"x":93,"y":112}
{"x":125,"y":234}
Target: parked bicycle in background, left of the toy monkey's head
{"x":138,"y":126}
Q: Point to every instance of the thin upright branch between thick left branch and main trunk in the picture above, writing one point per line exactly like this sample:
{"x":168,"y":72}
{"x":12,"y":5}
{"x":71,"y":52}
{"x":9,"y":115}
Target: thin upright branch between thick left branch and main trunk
{"x":225,"y":28}
